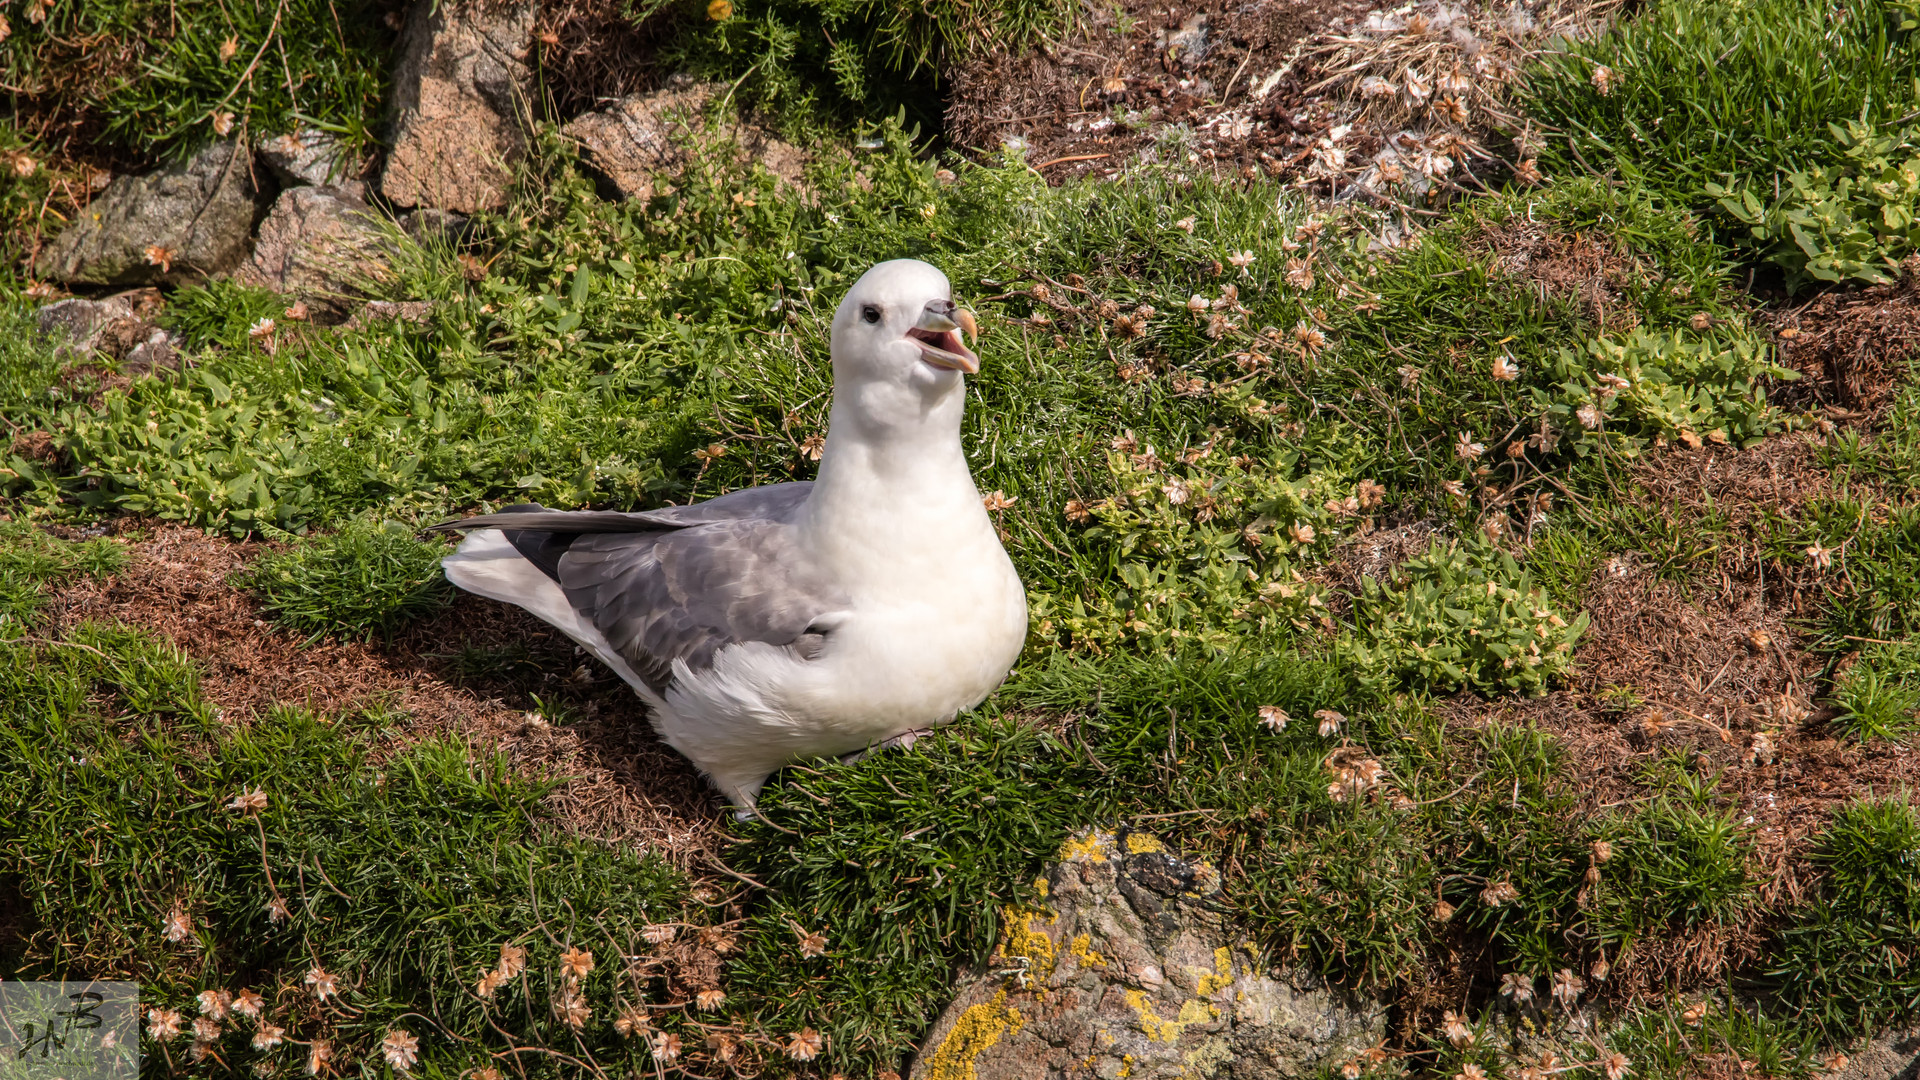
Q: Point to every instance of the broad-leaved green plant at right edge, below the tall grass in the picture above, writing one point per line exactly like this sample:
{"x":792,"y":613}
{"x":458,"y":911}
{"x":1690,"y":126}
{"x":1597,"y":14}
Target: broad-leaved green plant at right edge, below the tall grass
{"x":1848,"y":222}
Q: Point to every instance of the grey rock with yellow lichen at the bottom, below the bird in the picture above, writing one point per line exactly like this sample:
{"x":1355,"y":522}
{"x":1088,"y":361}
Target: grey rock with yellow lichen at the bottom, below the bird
{"x":1128,"y":970}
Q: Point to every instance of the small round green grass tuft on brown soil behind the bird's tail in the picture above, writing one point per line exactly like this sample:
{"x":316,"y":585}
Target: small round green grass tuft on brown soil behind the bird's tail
{"x":368,"y":579}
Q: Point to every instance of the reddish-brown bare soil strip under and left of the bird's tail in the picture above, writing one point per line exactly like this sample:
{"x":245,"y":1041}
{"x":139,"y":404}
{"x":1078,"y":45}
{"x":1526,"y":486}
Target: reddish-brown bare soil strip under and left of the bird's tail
{"x":469,"y":674}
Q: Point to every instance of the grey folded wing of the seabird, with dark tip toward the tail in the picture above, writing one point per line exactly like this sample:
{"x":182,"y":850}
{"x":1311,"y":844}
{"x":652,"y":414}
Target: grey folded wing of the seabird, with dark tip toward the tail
{"x":683,"y":583}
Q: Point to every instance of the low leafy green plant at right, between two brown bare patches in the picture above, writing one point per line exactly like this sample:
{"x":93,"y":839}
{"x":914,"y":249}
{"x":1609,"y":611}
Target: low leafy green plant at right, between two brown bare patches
{"x":1662,"y":385}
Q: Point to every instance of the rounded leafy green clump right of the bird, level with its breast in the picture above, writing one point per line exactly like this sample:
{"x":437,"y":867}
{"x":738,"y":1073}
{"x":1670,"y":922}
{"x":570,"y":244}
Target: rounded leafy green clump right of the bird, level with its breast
{"x":1462,"y":618}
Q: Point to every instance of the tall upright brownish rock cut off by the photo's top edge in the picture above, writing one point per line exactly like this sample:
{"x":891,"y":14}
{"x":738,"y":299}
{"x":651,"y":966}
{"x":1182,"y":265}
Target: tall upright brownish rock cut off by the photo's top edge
{"x":460,"y":93}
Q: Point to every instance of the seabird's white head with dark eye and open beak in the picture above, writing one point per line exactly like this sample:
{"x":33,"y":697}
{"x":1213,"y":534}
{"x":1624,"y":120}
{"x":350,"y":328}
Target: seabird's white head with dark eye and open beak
{"x":900,"y":326}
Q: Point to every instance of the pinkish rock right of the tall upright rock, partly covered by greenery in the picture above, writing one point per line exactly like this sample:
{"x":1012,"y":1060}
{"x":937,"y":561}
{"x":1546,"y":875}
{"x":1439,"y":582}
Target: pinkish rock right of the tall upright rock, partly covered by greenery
{"x":640,"y":141}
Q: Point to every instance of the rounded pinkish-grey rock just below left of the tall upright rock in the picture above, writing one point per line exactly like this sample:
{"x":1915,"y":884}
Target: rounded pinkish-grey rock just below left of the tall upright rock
{"x":320,"y":245}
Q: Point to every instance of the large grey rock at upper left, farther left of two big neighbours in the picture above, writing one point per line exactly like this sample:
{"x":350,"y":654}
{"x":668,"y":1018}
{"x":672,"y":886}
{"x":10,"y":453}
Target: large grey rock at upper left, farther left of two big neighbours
{"x":181,"y":224}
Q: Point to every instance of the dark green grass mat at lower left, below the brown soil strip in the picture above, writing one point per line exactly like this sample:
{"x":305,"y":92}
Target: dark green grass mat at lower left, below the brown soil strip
{"x":404,"y":870}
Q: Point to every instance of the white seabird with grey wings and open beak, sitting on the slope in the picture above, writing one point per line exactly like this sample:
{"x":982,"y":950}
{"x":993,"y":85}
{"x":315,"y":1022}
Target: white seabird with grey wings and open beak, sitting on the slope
{"x":809,"y":620}
